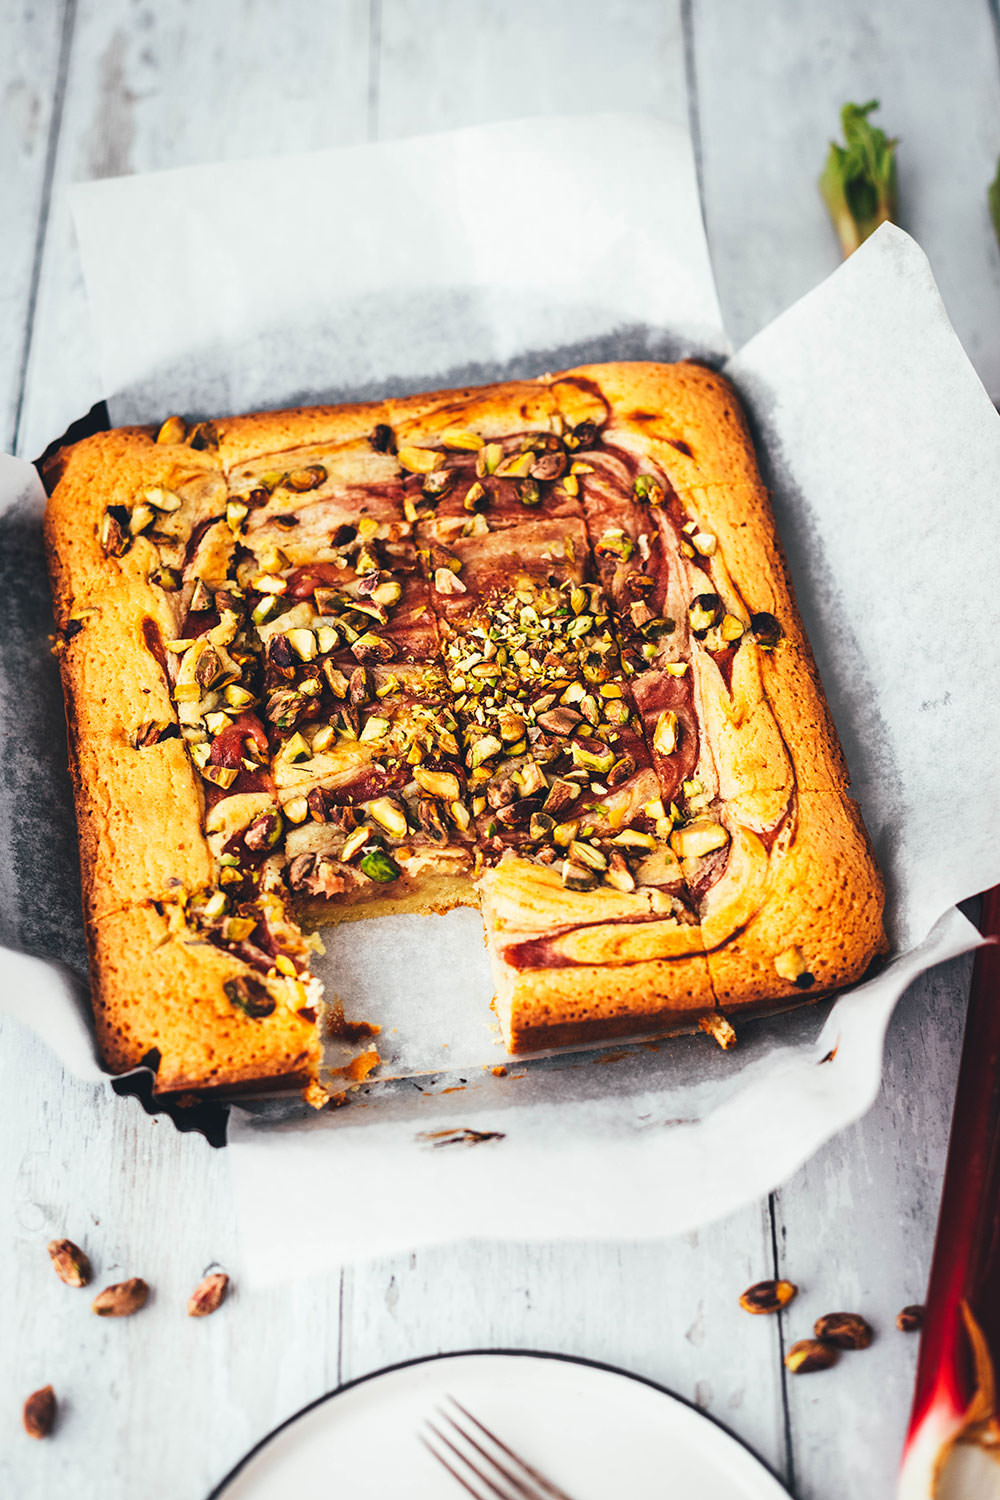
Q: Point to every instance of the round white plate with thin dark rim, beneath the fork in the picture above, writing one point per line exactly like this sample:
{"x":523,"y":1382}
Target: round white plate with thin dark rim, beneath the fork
{"x":597,"y":1432}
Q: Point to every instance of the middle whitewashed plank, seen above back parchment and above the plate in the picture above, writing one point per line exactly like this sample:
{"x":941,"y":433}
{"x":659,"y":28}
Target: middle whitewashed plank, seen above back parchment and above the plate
{"x":668,"y":1312}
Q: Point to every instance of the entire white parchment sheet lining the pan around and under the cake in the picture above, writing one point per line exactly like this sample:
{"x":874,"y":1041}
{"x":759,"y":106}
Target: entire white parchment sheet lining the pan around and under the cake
{"x":510,"y":251}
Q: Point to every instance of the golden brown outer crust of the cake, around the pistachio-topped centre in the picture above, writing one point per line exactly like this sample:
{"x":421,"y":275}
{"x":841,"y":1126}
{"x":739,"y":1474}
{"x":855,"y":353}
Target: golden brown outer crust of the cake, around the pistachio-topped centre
{"x":800,"y":890}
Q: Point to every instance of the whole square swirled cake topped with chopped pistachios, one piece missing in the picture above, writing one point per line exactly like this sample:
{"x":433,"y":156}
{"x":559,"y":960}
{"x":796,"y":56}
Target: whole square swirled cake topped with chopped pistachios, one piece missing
{"x":530,"y":647}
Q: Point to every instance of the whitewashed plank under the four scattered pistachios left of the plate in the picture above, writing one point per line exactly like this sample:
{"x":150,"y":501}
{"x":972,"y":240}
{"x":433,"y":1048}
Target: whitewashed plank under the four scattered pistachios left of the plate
{"x":151,"y":89}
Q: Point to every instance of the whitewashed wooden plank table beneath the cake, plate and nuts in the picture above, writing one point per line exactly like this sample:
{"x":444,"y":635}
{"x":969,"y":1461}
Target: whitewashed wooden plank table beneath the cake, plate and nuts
{"x":164,"y":1405}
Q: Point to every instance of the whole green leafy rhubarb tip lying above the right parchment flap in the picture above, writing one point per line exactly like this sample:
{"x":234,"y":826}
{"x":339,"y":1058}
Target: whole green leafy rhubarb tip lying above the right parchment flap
{"x":860,"y":178}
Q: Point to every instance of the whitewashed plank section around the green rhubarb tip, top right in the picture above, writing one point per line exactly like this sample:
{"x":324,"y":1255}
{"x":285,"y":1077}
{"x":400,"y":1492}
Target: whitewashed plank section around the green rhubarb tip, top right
{"x":771,"y":82}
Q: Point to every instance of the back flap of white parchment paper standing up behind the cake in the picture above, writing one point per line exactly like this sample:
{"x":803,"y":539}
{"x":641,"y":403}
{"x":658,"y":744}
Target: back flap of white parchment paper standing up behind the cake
{"x":386,"y":269}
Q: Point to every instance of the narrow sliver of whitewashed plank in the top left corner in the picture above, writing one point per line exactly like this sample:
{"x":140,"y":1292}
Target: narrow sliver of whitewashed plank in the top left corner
{"x":35,"y":46}
